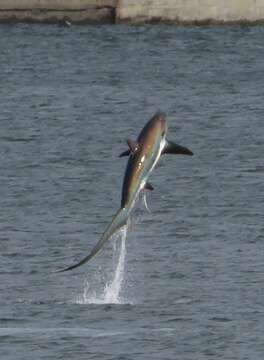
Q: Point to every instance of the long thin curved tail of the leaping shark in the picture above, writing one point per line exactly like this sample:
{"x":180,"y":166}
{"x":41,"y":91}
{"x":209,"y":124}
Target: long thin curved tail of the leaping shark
{"x":119,"y":220}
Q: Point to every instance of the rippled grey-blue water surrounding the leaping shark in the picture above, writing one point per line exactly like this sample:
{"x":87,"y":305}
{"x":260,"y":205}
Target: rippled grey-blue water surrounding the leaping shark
{"x":192,"y":282}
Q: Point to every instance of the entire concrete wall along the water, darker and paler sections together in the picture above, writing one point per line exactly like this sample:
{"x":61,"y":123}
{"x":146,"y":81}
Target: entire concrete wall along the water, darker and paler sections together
{"x":133,"y":11}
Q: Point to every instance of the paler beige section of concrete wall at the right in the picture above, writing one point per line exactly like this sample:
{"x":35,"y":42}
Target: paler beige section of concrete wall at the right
{"x":190,"y":11}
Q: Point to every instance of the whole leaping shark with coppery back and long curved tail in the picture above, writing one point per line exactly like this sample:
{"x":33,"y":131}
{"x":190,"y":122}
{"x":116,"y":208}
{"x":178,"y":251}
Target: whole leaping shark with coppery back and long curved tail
{"x":144,"y":155}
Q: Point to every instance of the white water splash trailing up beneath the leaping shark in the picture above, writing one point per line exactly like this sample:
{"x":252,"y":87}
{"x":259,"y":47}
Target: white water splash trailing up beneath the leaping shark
{"x":112,"y":289}
